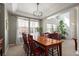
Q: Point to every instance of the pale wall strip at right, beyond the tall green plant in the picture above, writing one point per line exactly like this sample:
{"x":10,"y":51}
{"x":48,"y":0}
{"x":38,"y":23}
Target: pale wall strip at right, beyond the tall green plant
{"x":73,"y":23}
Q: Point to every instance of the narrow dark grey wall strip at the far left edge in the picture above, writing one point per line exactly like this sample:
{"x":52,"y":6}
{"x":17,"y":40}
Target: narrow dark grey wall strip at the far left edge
{"x":2,"y":24}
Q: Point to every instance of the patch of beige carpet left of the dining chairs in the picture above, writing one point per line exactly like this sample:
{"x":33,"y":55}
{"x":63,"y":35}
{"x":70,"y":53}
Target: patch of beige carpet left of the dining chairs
{"x":15,"y":51}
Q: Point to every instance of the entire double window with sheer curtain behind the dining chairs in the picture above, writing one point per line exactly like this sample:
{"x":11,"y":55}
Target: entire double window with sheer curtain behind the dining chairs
{"x":28,"y":26}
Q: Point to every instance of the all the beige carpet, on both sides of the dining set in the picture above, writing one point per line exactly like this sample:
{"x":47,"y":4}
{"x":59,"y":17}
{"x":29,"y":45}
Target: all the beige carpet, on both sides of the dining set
{"x":67,"y":49}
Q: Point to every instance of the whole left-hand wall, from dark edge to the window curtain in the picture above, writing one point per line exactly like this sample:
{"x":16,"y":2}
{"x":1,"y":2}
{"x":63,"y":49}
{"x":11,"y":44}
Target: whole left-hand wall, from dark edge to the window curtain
{"x":5,"y":21}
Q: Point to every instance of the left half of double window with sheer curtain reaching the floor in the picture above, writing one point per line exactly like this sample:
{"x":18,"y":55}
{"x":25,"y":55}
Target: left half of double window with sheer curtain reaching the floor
{"x":22,"y":26}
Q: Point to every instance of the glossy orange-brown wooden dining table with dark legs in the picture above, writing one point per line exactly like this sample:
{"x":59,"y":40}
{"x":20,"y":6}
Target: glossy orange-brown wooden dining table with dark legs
{"x":47,"y":43}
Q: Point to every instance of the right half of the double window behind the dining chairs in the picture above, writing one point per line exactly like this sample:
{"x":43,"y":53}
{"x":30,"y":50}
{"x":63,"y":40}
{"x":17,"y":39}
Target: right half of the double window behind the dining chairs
{"x":34,"y":26}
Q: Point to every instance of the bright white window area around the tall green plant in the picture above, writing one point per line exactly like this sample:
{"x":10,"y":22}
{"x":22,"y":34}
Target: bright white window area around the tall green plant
{"x":53,"y":21}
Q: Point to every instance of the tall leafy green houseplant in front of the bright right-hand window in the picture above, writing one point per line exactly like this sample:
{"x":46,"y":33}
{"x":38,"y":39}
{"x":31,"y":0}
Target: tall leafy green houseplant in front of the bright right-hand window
{"x":62,"y":29}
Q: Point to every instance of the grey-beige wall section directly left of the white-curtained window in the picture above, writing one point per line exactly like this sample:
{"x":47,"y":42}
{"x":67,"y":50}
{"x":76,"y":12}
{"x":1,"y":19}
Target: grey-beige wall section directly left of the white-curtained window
{"x":12,"y":29}
